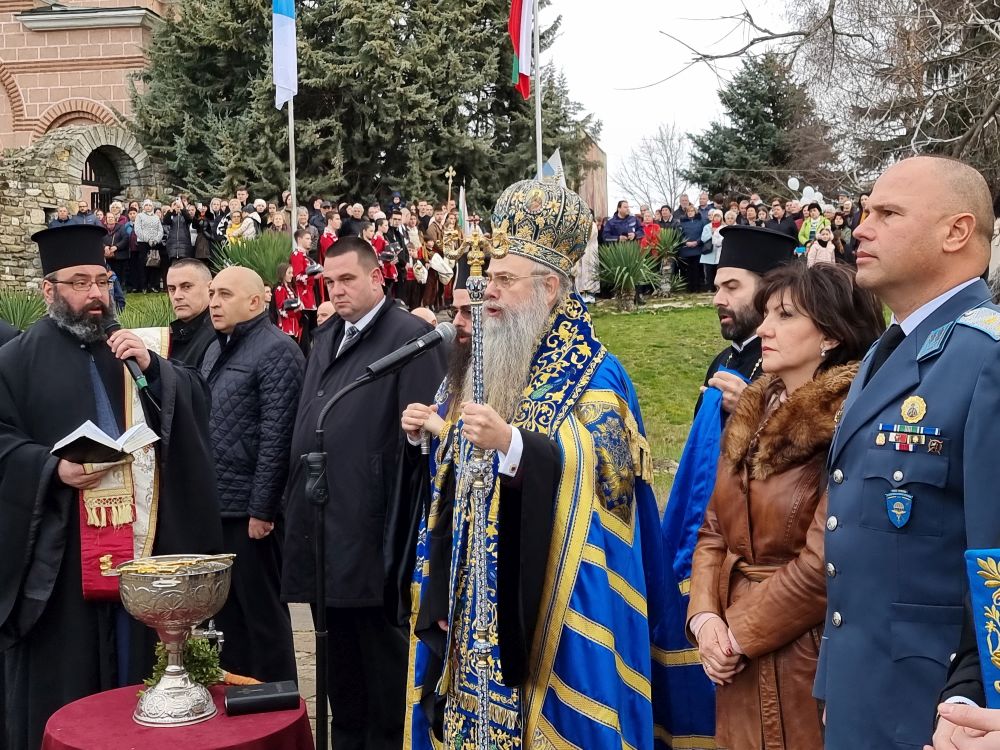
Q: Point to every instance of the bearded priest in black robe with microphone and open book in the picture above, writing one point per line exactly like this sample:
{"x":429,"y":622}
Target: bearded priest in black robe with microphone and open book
{"x":58,"y":645}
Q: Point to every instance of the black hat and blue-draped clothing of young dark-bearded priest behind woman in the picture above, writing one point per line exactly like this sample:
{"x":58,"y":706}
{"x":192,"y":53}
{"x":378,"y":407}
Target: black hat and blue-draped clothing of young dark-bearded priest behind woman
{"x":692,"y":693}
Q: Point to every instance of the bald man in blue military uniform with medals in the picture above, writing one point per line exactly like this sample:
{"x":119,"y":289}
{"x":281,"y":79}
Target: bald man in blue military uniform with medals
{"x":913,"y":465}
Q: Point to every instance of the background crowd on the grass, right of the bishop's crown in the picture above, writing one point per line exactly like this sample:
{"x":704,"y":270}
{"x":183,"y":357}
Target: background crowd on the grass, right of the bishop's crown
{"x":824,"y":232}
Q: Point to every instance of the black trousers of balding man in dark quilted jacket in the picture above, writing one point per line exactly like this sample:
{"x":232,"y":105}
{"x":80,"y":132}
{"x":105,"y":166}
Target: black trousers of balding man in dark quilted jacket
{"x":254,"y":622}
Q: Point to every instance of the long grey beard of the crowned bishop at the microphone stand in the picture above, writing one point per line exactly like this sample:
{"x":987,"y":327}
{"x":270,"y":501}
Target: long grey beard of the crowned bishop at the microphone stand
{"x":509,"y":345}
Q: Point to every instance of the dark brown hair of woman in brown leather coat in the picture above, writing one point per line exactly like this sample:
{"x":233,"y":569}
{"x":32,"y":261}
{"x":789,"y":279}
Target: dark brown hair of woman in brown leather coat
{"x":828,"y":295}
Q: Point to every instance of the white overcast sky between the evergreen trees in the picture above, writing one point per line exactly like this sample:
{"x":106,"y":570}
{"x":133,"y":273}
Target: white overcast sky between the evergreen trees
{"x":605,"y":53}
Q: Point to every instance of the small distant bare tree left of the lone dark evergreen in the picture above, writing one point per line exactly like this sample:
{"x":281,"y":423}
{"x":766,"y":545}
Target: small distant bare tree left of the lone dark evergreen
{"x":651,"y":173}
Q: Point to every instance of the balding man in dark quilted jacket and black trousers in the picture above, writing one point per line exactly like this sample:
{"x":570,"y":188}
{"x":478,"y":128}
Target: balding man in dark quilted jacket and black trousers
{"x":255,"y":374}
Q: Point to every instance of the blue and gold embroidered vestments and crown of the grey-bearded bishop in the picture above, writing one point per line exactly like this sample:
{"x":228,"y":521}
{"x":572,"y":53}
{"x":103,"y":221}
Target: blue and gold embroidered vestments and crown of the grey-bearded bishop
{"x":573,"y":540}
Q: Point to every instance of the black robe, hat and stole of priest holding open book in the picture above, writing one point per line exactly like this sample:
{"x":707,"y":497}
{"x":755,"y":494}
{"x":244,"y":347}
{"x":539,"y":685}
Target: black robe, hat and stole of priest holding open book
{"x":62,"y":626}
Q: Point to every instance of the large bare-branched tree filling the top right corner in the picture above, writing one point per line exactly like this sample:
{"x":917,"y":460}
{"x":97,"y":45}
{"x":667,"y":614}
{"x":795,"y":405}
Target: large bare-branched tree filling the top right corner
{"x":893,"y":77}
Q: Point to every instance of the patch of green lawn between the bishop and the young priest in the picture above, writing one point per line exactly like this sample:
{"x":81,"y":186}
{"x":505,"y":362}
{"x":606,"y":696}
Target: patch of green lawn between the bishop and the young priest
{"x":666,"y":352}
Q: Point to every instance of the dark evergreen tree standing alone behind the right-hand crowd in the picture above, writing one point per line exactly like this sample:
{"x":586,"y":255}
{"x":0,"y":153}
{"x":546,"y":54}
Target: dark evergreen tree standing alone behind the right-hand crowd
{"x":770,"y":129}
